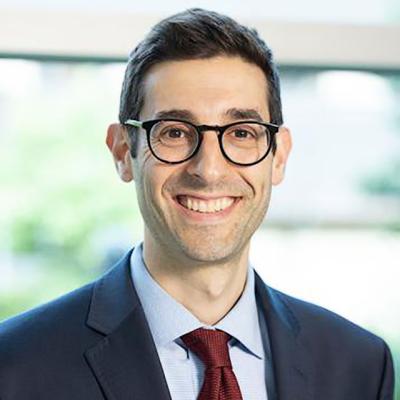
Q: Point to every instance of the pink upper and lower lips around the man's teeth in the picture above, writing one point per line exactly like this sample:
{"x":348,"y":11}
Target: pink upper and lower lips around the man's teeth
{"x":214,"y":217}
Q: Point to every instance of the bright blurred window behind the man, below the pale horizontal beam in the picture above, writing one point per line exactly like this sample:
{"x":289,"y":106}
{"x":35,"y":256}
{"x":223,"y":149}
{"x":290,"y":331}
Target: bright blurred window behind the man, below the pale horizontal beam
{"x":332,"y":233}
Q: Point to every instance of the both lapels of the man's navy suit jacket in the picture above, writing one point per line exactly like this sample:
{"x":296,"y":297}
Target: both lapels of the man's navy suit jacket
{"x":125,"y":361}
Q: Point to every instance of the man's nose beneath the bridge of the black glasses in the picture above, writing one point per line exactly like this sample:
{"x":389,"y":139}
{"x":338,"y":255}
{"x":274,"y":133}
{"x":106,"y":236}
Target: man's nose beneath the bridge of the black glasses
{"x":209,"y":164}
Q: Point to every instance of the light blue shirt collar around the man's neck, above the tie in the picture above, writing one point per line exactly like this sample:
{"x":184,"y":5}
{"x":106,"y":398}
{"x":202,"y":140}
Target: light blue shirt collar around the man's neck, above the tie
{"x":168,"y":319}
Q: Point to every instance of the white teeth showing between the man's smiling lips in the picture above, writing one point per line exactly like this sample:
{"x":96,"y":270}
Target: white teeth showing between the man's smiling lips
{"x":203,"y":205}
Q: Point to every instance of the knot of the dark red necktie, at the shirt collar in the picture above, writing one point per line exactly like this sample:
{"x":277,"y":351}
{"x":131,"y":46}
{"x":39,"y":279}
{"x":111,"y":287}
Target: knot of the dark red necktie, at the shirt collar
{"x":211,"y":346}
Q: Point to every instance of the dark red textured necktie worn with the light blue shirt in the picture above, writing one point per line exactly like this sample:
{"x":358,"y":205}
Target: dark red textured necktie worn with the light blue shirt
{"x":211,"y":346}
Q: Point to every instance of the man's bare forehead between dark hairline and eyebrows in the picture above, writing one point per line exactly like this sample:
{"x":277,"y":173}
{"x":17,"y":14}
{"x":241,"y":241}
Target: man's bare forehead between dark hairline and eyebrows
{"x":206,"y":87}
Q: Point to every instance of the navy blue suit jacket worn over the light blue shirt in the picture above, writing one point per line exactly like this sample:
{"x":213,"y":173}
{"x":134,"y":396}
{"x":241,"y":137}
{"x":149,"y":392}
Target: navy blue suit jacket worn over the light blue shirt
{"x":95,"y":344}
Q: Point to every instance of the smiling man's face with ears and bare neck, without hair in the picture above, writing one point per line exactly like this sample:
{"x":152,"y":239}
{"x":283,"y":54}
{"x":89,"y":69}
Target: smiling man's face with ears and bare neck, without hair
{"x":201,"y":208}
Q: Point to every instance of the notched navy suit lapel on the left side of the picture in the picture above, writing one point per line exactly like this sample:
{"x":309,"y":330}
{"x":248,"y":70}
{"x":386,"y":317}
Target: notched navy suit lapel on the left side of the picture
{"x":125,"y":361}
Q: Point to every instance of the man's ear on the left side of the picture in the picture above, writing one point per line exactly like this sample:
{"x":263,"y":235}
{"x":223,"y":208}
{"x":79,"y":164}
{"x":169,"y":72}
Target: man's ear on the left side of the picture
{"x":117,"y":141}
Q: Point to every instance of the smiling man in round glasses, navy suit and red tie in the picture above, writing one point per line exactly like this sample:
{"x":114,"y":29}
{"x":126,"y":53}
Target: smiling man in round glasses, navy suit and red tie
{"x":184,"y":315}
